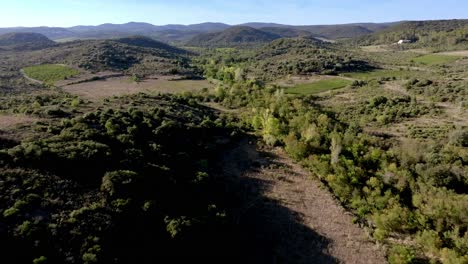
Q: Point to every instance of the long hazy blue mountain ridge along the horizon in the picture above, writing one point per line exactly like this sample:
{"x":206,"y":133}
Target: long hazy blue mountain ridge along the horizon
{"x":180,"y":33}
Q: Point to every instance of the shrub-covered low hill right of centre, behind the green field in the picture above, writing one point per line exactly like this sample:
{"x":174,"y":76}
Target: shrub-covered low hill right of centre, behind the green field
{"x":280,"y":58}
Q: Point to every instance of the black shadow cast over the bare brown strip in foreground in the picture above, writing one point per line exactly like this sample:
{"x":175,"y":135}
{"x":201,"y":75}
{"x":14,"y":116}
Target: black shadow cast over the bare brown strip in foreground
{"x":269,"y":232}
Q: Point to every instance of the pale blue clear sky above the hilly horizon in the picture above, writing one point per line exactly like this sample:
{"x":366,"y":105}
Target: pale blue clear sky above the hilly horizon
{"x":297,"y":12}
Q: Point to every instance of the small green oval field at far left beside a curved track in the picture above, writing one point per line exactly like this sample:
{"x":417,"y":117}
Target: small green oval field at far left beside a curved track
{"x":50,"y":73}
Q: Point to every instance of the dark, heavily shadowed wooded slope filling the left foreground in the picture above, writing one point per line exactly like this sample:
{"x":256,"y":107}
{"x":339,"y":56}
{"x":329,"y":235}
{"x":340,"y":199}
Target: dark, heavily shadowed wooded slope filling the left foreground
{"x":107,"y":186}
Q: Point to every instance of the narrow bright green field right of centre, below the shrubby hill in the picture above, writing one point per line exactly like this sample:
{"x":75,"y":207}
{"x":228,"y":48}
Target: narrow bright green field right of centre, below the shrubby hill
{"x":319,"y":86}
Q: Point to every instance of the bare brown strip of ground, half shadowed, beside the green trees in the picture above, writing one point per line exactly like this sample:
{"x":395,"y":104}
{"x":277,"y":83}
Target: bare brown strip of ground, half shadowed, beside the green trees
{"x":301,"y":221}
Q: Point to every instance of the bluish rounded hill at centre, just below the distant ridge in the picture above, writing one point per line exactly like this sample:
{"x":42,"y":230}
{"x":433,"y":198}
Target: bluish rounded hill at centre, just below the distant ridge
{"x":234,"y":36}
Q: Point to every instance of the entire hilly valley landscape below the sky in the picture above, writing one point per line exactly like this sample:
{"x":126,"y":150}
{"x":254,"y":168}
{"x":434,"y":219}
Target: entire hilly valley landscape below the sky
{"x":256,"y":143}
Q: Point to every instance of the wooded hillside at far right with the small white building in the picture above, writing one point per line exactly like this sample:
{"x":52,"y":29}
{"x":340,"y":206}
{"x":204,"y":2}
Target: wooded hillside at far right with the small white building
{"x":439,"y":34}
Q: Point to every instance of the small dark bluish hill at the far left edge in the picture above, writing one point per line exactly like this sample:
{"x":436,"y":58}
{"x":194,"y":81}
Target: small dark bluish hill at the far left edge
{"x":25,"y":41}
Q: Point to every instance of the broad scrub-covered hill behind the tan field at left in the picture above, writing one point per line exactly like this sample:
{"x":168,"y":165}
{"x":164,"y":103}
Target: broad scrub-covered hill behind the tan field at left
{"x":132,"y":55}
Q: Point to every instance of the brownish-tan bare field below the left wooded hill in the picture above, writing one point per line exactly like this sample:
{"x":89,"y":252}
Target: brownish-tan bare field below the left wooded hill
{"x":123,"y":85}
